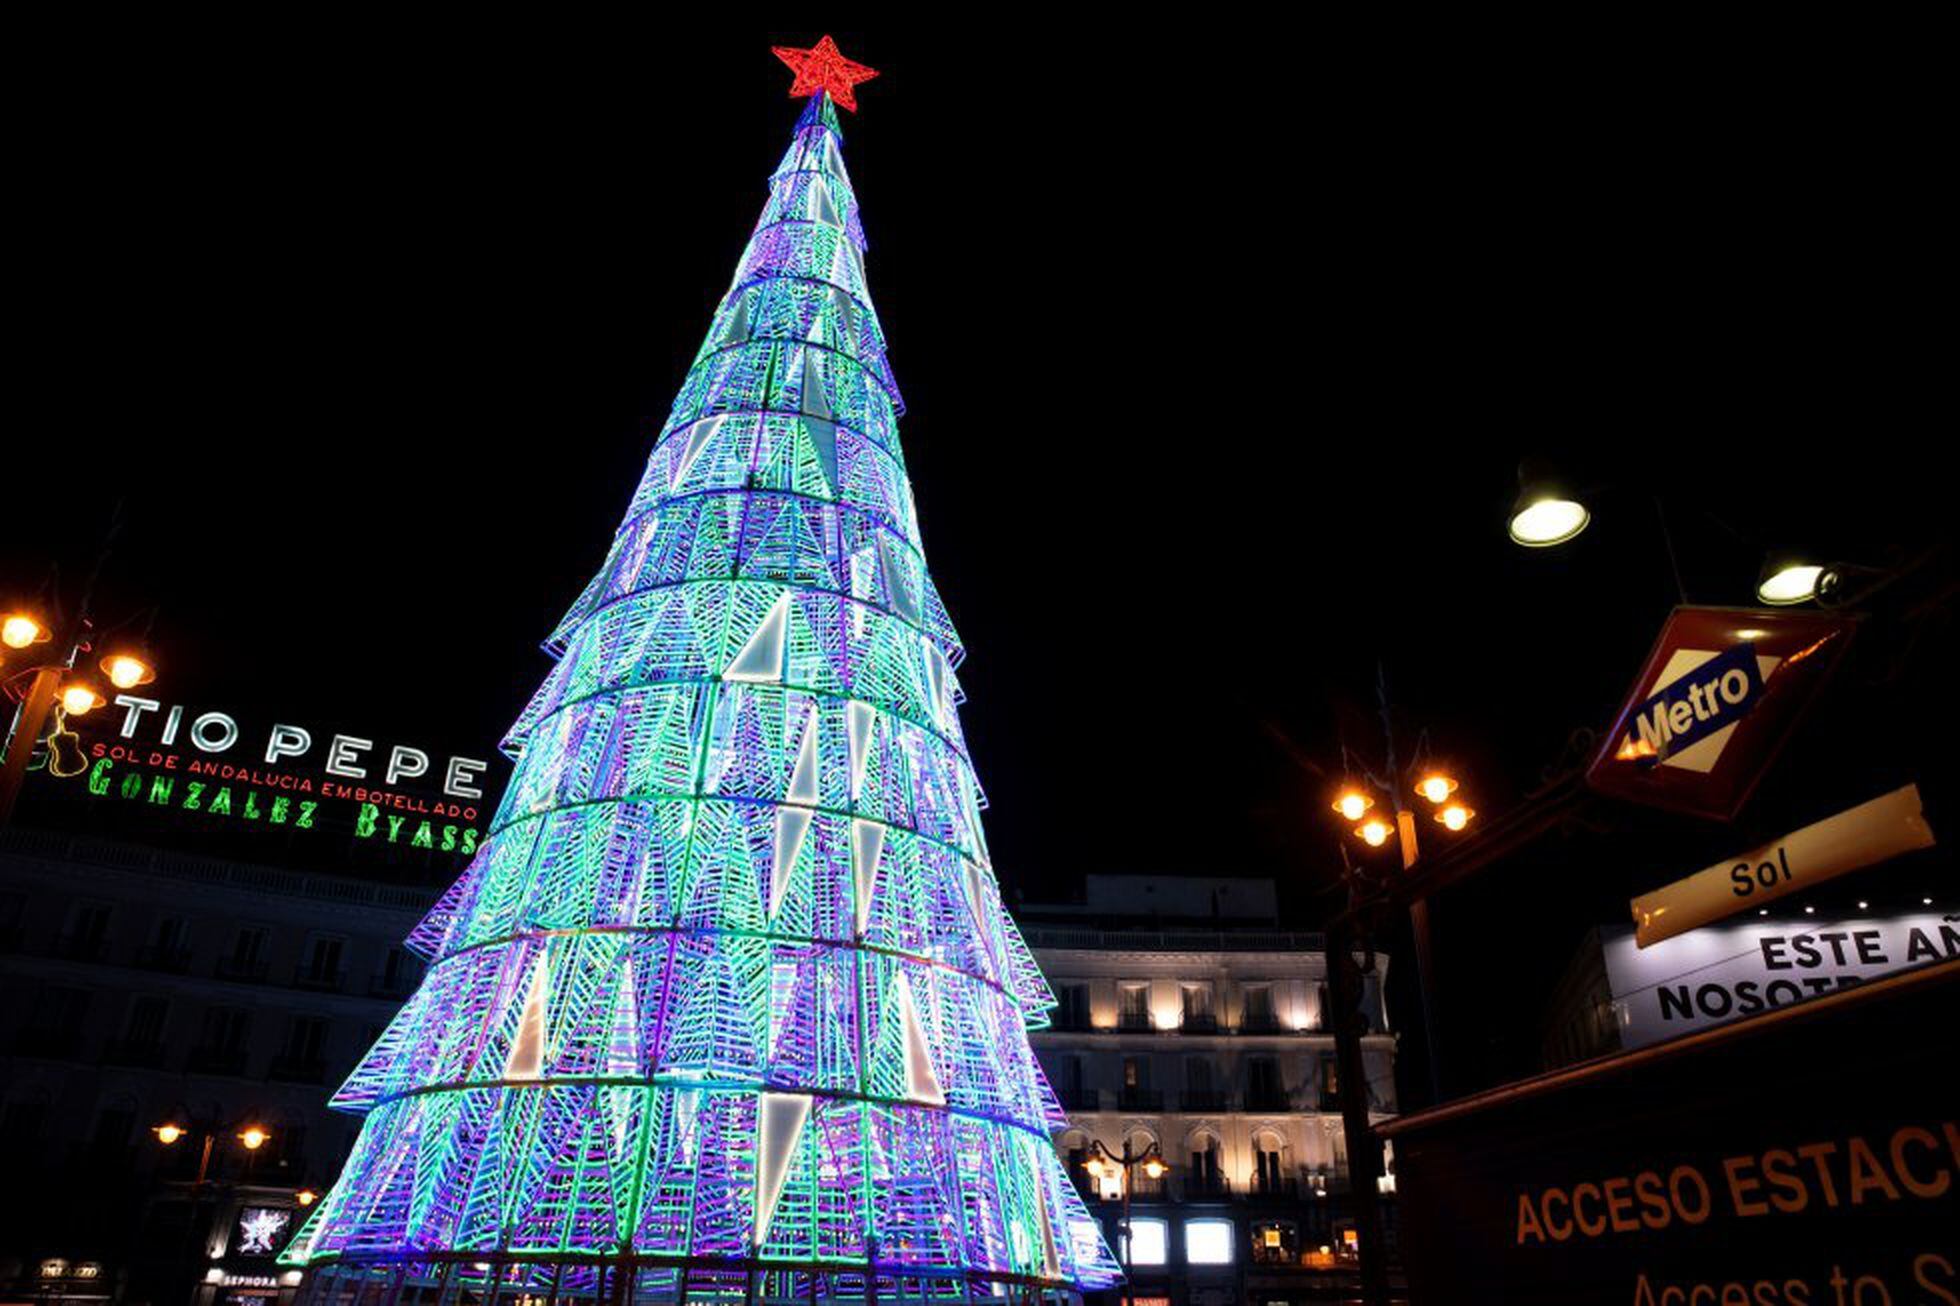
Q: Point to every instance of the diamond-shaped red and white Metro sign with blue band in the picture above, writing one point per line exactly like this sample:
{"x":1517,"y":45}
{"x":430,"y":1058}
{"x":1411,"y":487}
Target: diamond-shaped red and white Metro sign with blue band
{"x":1714,"y":705}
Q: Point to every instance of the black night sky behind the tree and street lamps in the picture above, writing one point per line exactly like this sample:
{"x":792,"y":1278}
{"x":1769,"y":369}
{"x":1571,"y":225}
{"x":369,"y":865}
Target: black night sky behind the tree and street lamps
{"x":1220,"y":356}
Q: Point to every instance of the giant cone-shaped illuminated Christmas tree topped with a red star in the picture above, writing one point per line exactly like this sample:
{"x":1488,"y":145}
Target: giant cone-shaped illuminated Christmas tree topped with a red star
{"x":728,"y":1005}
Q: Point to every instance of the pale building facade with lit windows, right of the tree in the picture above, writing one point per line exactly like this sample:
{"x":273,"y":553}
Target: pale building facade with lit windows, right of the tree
{"x":1189,"y":1023}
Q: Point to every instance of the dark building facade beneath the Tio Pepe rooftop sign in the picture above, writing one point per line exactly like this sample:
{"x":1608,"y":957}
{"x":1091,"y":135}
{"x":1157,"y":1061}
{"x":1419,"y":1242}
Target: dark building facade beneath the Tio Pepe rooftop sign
{"x":146,"y":989}
